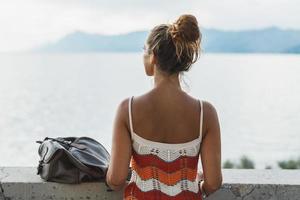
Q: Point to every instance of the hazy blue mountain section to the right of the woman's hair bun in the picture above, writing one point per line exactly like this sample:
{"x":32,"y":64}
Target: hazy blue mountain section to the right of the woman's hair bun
{"x":268,"y":40}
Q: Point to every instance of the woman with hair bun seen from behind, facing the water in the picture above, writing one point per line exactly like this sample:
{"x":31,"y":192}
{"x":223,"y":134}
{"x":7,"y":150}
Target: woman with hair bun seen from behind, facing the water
{"x":165,"y":131}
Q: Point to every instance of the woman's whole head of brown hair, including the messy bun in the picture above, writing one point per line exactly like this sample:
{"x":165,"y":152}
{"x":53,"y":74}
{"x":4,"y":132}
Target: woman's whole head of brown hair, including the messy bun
{"x":176,"y":46}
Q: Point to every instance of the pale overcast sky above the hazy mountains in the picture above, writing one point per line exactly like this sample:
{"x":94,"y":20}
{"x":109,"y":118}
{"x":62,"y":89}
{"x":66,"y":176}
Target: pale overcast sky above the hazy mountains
{"x":29,"y":23}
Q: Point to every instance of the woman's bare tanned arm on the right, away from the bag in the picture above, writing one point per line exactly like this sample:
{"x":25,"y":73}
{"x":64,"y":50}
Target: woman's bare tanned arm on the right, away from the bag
{"x":211,"y":151}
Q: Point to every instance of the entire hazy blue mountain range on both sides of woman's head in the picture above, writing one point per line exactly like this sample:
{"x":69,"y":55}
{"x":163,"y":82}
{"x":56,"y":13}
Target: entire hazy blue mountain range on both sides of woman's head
{"x":268,"y":40}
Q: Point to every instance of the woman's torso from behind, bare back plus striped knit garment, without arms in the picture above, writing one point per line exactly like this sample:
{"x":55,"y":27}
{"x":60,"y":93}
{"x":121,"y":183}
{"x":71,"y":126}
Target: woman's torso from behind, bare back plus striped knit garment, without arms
{"x":166,"y":141}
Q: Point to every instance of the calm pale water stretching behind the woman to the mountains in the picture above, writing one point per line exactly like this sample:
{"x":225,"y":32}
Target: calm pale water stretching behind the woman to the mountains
{"x":257,"y":98}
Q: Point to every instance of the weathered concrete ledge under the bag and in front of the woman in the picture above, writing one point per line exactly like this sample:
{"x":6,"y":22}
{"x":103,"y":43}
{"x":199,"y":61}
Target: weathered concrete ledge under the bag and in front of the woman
{"x":23,"y":183}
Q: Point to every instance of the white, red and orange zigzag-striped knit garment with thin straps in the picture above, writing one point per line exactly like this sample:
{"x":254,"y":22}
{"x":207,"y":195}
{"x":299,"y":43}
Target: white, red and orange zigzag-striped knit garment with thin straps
{"x":163,"y":170}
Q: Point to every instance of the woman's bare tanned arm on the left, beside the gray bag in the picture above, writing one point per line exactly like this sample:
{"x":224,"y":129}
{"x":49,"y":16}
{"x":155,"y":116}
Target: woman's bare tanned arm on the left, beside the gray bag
{"x":121,"y":149}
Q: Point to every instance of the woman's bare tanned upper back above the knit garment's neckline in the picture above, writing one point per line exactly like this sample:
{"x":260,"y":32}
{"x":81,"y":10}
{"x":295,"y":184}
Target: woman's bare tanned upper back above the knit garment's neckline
{"x":169,"y":116}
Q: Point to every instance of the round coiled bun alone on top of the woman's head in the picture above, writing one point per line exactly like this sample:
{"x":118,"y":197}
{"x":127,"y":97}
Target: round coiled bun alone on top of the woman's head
{"x":185,"y":28}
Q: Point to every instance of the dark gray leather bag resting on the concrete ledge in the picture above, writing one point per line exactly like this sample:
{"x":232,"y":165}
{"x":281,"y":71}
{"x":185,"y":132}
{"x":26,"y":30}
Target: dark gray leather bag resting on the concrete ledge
{"x":72,"y":160}
